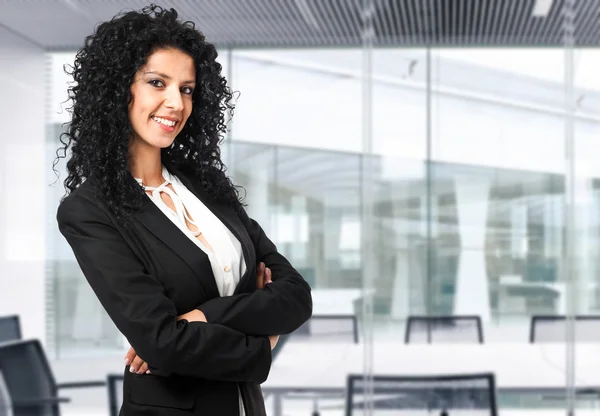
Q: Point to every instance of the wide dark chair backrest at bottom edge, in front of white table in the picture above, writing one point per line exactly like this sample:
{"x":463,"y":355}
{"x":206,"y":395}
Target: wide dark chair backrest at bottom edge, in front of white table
{"x":474,"y":394}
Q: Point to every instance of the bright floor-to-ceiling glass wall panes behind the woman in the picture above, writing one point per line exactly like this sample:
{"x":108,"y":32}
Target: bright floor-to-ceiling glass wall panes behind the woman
{"x":456,"y":234}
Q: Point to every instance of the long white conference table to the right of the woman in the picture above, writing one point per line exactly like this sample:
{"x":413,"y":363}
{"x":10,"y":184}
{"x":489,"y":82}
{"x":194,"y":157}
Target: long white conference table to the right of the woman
{"x":305,"y":367}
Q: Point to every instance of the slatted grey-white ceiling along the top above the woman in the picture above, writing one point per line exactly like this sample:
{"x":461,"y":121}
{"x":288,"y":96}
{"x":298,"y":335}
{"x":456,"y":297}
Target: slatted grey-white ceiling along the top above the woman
{"x":63,"y":24}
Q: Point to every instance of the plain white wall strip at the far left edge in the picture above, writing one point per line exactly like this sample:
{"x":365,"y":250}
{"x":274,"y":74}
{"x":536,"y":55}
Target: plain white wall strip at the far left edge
{"x":22,"y":176}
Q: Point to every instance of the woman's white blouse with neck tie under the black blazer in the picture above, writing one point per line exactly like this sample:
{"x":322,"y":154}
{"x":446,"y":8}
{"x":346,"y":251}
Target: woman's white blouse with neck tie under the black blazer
{"x":227,"y":260}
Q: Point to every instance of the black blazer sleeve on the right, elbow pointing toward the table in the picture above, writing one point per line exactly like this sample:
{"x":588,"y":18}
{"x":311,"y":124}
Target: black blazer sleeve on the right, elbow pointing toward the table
{"x":280,"y":308}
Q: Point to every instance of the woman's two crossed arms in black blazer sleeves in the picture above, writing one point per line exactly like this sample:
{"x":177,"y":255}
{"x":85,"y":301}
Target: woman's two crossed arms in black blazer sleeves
{"x":224,"y":339}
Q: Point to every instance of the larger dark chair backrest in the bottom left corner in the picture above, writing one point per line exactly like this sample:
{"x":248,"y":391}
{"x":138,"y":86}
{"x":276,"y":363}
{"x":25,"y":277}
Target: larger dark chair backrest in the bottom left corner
{"x":28,"y":376}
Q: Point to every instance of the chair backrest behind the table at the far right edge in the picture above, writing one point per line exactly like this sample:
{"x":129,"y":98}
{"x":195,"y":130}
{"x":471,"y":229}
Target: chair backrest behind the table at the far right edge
{"x":553,"y":328}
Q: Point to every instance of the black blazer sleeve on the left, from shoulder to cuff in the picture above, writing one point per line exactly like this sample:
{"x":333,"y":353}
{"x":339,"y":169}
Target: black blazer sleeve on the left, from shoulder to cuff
{"x":136,"y":302}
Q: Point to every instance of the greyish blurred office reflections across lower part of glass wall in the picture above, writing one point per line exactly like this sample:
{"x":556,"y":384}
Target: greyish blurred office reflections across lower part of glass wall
{"x":496,"y":237}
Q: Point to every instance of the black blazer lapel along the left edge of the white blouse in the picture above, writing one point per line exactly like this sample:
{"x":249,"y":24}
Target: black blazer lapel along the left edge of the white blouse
{"x":162,"y":227}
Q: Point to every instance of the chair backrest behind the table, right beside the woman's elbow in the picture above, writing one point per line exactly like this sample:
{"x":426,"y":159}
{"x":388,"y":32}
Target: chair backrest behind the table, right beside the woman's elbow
{"x":342,"y":328}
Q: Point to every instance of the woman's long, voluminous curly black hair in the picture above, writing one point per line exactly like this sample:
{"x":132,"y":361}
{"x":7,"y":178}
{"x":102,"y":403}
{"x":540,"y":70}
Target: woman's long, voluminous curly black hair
{"x":99,"y":131}
